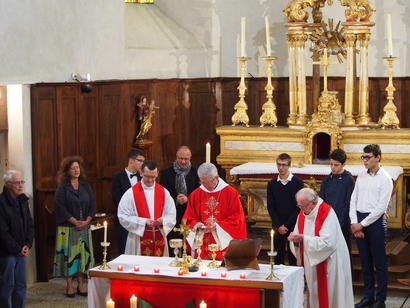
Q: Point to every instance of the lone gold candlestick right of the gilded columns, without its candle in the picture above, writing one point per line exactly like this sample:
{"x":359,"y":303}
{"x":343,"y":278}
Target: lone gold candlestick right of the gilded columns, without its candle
{"x":390,"y":118}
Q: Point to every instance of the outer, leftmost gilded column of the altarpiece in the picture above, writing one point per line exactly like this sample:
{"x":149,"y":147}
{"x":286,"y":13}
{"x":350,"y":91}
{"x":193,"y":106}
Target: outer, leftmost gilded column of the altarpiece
{"x":292,"y":81}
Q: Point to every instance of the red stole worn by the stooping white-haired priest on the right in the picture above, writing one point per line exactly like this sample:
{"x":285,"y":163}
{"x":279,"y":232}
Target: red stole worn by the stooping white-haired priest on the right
{"x":321,"y":268}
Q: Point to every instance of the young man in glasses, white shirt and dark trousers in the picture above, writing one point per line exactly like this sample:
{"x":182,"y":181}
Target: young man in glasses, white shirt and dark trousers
{"x":369,"y":201}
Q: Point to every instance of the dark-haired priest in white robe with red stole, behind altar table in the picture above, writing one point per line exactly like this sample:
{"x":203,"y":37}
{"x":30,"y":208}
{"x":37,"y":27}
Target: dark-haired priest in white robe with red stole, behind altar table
{"x":147,"y":212}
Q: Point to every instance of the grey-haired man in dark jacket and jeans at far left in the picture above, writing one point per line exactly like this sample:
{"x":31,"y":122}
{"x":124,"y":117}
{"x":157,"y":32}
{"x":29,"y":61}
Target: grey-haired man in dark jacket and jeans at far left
{"x":16,"y":239}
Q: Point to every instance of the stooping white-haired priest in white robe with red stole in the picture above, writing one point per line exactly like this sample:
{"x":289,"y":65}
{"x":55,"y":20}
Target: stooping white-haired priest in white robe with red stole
{"x":323,"y":252}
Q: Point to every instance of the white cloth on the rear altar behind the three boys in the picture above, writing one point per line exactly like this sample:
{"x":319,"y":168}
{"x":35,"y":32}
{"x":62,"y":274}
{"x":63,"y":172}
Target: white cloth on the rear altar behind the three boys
{"x":271,"y":168}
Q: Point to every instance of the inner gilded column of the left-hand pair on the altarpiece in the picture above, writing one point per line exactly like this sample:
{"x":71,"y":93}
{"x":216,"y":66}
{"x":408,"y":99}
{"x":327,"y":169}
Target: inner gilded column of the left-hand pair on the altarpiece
{"x":301,"y":78}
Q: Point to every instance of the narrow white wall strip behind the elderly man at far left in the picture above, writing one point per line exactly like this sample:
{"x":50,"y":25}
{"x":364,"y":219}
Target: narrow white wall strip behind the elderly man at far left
{"x":19,"y":148}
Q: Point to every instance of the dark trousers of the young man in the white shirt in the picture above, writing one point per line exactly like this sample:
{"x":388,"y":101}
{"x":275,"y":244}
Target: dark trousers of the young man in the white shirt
{"x":372,"y":250}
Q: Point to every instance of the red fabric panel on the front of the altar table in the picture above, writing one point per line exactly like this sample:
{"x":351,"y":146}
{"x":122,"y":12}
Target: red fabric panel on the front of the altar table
{"x":166,"y":295}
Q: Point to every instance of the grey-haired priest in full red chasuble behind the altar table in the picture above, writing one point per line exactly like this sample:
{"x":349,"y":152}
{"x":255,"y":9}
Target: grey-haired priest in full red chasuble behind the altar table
{"x":214,"y":208}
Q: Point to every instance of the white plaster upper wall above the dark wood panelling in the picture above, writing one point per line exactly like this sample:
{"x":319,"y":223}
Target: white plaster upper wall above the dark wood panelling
{"x":47,"y":40}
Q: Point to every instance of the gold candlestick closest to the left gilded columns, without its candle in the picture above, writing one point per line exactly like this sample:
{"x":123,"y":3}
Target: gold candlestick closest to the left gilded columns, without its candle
{"x":268,"y":116}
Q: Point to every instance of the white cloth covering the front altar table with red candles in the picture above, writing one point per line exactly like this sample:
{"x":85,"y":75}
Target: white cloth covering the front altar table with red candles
{"x":291,"y":277}
